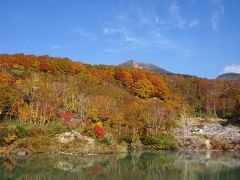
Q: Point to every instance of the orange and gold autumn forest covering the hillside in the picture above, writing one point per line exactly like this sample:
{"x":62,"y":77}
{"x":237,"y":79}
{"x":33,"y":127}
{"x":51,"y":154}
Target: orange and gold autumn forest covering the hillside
{"x":40,"y":89}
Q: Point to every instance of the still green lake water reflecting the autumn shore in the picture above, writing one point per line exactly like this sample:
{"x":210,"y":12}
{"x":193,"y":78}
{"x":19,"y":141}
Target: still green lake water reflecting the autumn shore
{"x":141,"y":165}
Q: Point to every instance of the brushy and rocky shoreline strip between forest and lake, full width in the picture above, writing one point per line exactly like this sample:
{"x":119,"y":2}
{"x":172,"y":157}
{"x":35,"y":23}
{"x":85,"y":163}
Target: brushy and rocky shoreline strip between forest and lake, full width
{"x":191,"y":136}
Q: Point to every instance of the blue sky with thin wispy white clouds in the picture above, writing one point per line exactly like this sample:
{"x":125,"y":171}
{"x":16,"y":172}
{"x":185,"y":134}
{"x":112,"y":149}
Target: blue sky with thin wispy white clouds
{"x":197,"y":37}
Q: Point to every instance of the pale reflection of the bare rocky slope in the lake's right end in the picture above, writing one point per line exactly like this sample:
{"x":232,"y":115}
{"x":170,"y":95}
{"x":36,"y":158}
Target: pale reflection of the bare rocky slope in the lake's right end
{"x":208,"y":165}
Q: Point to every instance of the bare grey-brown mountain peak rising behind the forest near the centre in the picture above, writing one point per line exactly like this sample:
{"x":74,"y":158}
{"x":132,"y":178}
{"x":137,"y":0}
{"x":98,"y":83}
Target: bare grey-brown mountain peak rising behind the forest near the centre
{"x":150,"y":67}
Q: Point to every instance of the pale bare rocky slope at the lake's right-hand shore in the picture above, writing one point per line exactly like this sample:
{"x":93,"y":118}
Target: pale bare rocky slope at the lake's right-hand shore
{"x":207,"y":135}
